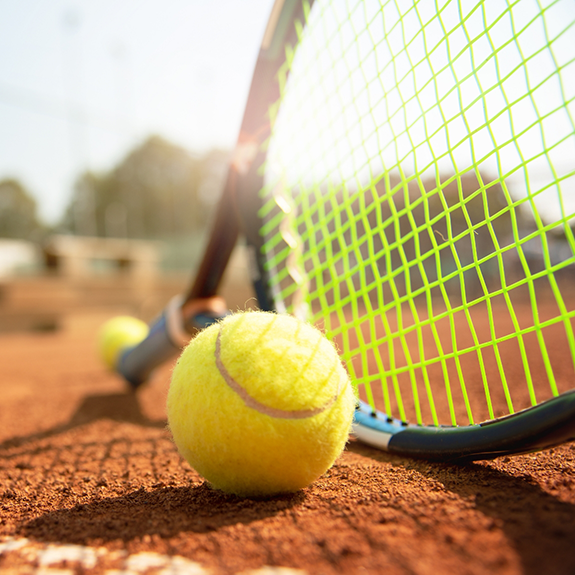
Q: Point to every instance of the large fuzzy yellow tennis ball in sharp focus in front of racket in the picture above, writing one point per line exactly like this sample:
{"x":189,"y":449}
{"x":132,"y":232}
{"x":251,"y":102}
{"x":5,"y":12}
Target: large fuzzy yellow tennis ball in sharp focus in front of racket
{"x":260,"y":404}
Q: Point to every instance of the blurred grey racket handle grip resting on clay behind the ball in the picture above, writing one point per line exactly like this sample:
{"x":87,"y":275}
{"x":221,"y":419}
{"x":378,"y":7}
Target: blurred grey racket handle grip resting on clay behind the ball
{"x":168,"y":335}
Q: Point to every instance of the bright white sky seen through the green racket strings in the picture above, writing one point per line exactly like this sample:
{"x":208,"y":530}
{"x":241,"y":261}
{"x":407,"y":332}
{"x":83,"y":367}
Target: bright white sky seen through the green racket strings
{"x":388,"y":88}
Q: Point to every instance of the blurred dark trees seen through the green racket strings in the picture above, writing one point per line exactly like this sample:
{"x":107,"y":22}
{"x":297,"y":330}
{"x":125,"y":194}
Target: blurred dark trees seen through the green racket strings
{"x":458,"y":231}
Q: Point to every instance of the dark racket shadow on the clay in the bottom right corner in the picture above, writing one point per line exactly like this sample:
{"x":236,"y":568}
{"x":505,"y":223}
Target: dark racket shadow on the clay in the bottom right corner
{"x":538,"y":524}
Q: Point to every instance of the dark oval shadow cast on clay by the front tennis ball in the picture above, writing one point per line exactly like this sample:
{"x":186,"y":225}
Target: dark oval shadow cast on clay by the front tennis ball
{"x":164,"y":511}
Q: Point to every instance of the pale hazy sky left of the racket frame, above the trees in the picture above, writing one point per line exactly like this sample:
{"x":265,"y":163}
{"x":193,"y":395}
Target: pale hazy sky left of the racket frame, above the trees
{"x":82,"y":83}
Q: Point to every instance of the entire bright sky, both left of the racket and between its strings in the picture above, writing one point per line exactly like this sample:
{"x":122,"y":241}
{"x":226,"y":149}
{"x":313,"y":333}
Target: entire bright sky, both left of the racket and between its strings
{"x":83,"y":82}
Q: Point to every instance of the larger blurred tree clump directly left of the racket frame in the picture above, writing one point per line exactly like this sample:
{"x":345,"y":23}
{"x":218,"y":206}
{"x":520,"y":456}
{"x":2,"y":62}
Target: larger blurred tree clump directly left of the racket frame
{"x":158,"y":191}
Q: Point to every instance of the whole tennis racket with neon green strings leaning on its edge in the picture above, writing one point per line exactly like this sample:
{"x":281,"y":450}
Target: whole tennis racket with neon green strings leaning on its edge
{"x":405,"y":178}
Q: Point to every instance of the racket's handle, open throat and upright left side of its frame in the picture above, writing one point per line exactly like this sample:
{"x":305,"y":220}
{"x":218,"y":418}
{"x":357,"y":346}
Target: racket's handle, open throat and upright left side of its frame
{"x":236,"y":212}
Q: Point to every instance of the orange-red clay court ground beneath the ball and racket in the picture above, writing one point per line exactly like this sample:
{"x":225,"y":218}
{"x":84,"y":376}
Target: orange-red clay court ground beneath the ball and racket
{"x":90,"y":482}
